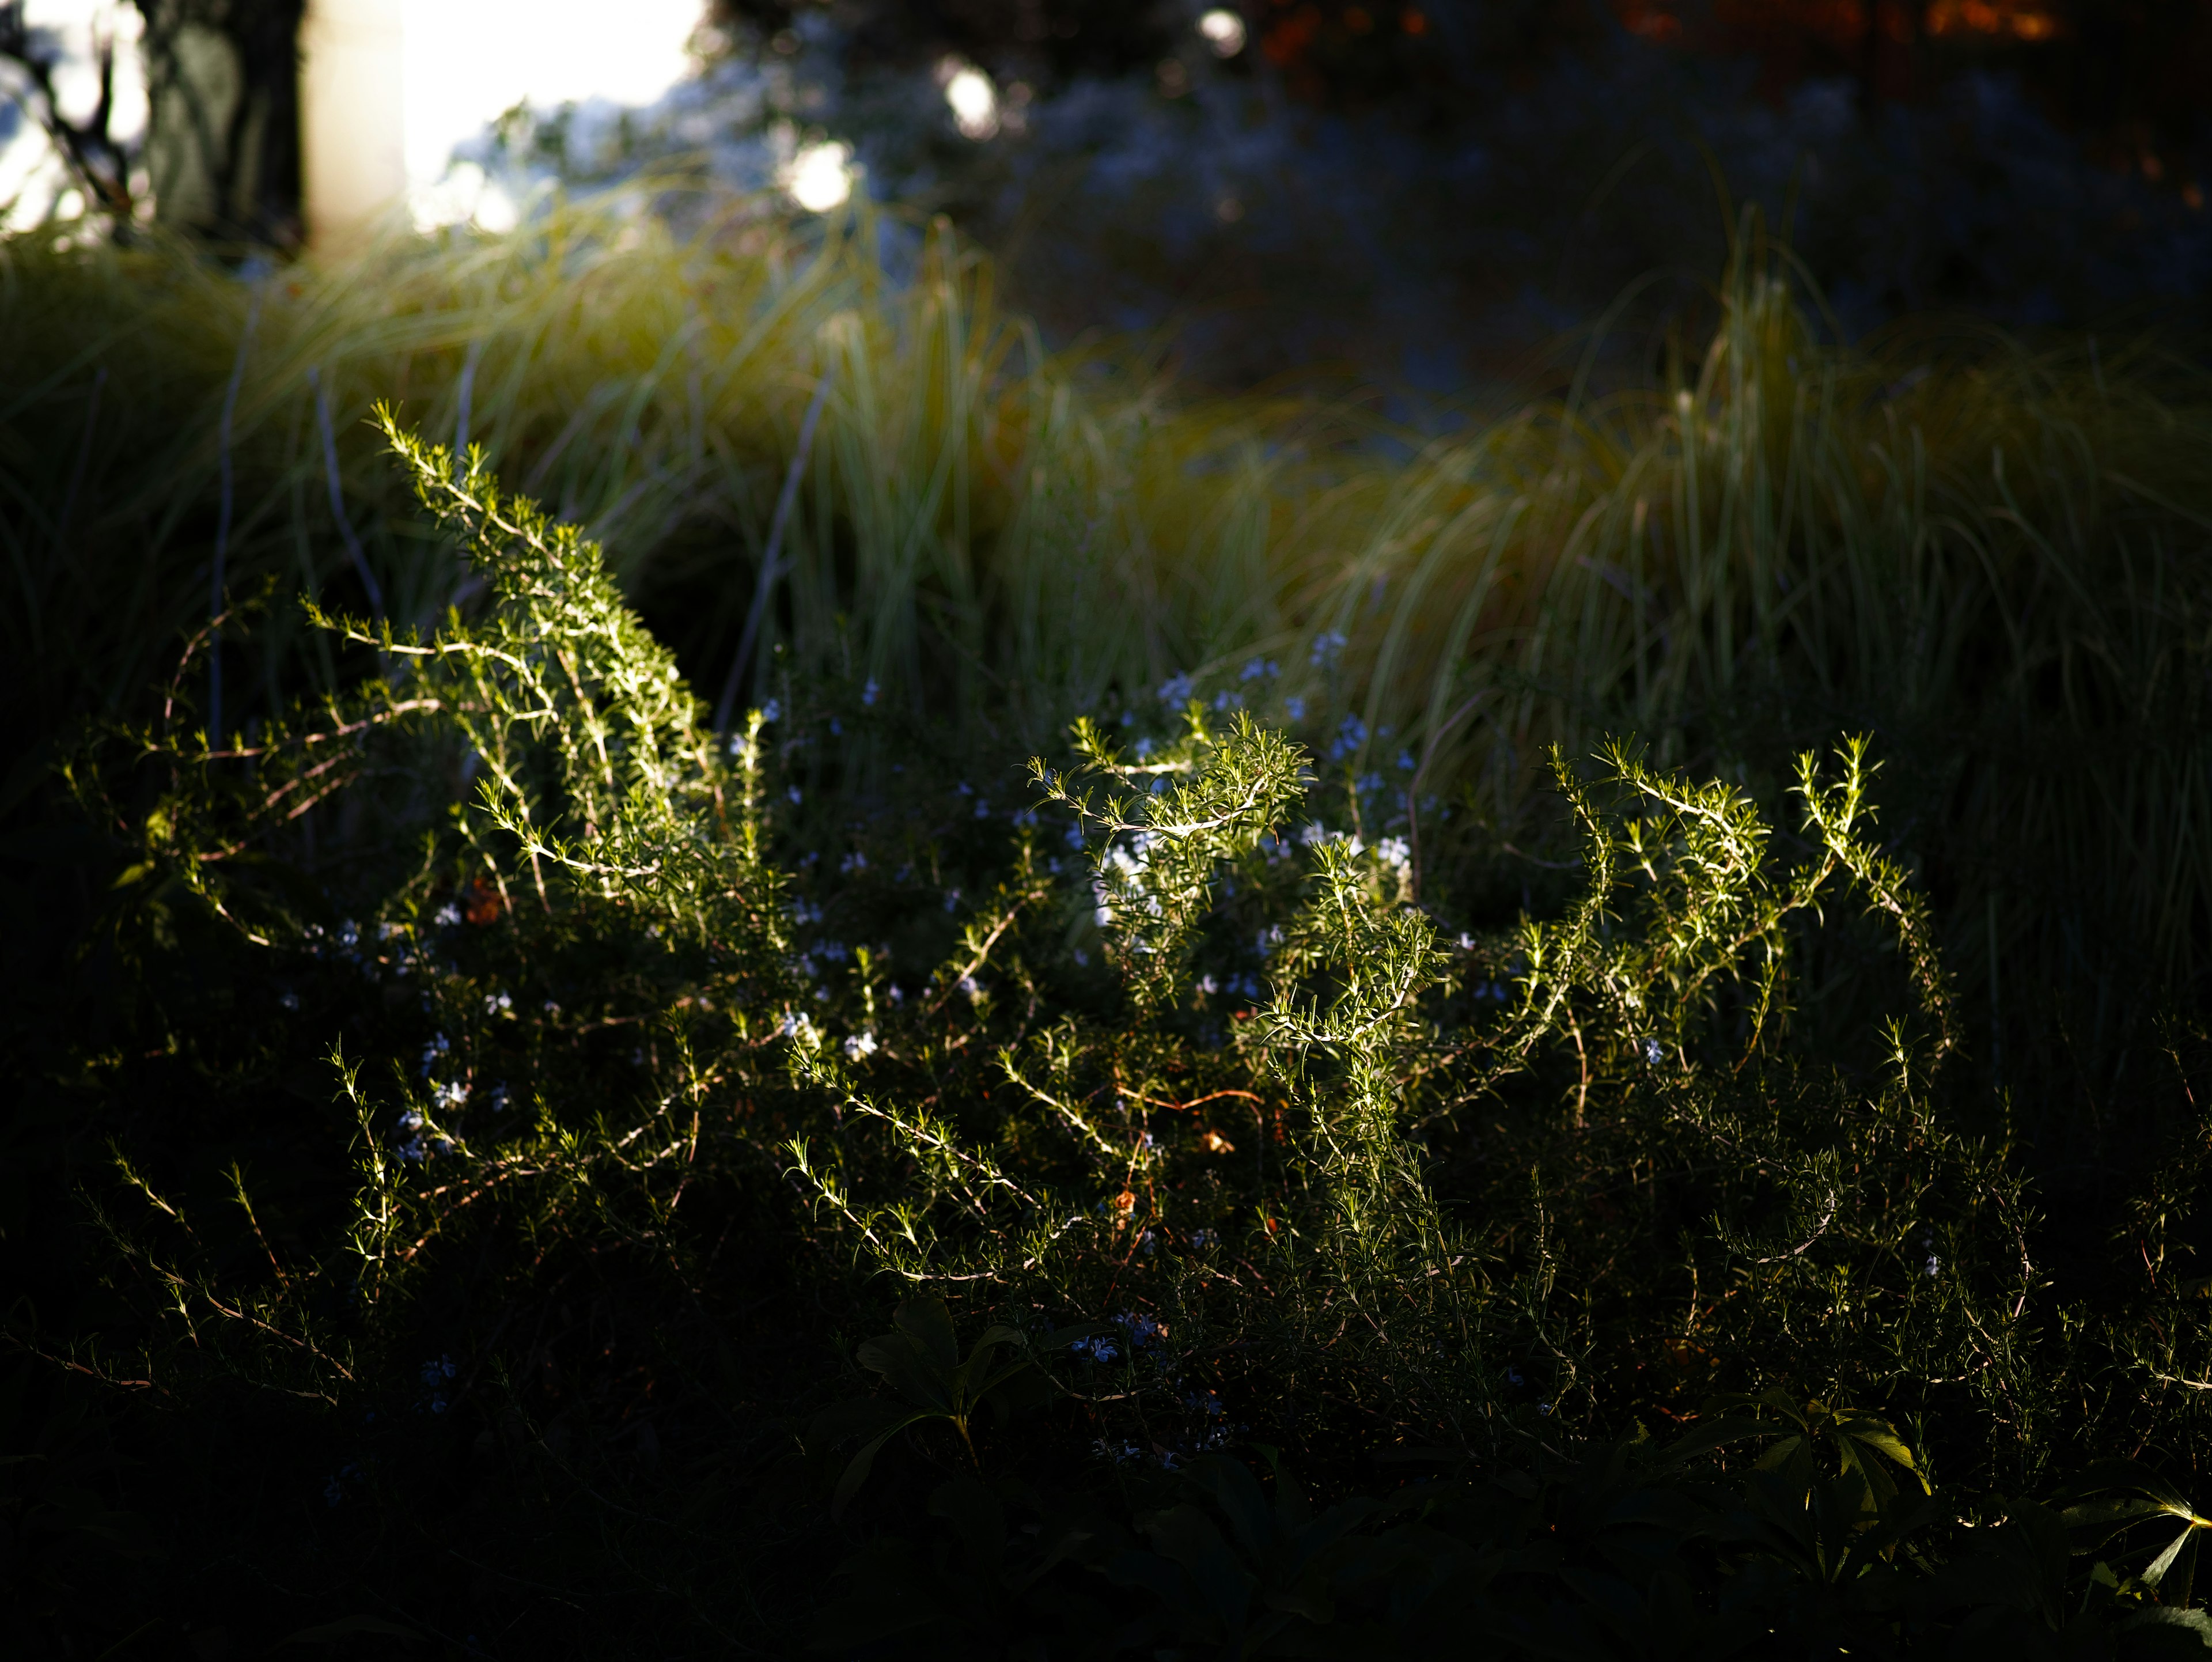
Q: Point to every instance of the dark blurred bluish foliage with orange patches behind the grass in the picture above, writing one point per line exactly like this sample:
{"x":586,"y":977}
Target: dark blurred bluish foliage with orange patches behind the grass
{"x":1415,"y":198}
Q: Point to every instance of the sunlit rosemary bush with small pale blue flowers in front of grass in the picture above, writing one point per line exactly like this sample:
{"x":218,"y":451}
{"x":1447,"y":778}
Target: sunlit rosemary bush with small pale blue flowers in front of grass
{"x":1178,"y":1097}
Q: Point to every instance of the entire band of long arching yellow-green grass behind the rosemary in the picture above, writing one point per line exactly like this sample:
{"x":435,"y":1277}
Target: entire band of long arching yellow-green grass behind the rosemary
{"x":1990,"y":554}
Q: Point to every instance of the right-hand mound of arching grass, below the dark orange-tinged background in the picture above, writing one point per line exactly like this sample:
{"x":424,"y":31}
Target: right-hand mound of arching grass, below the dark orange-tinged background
{"x":1990,"y":557}
